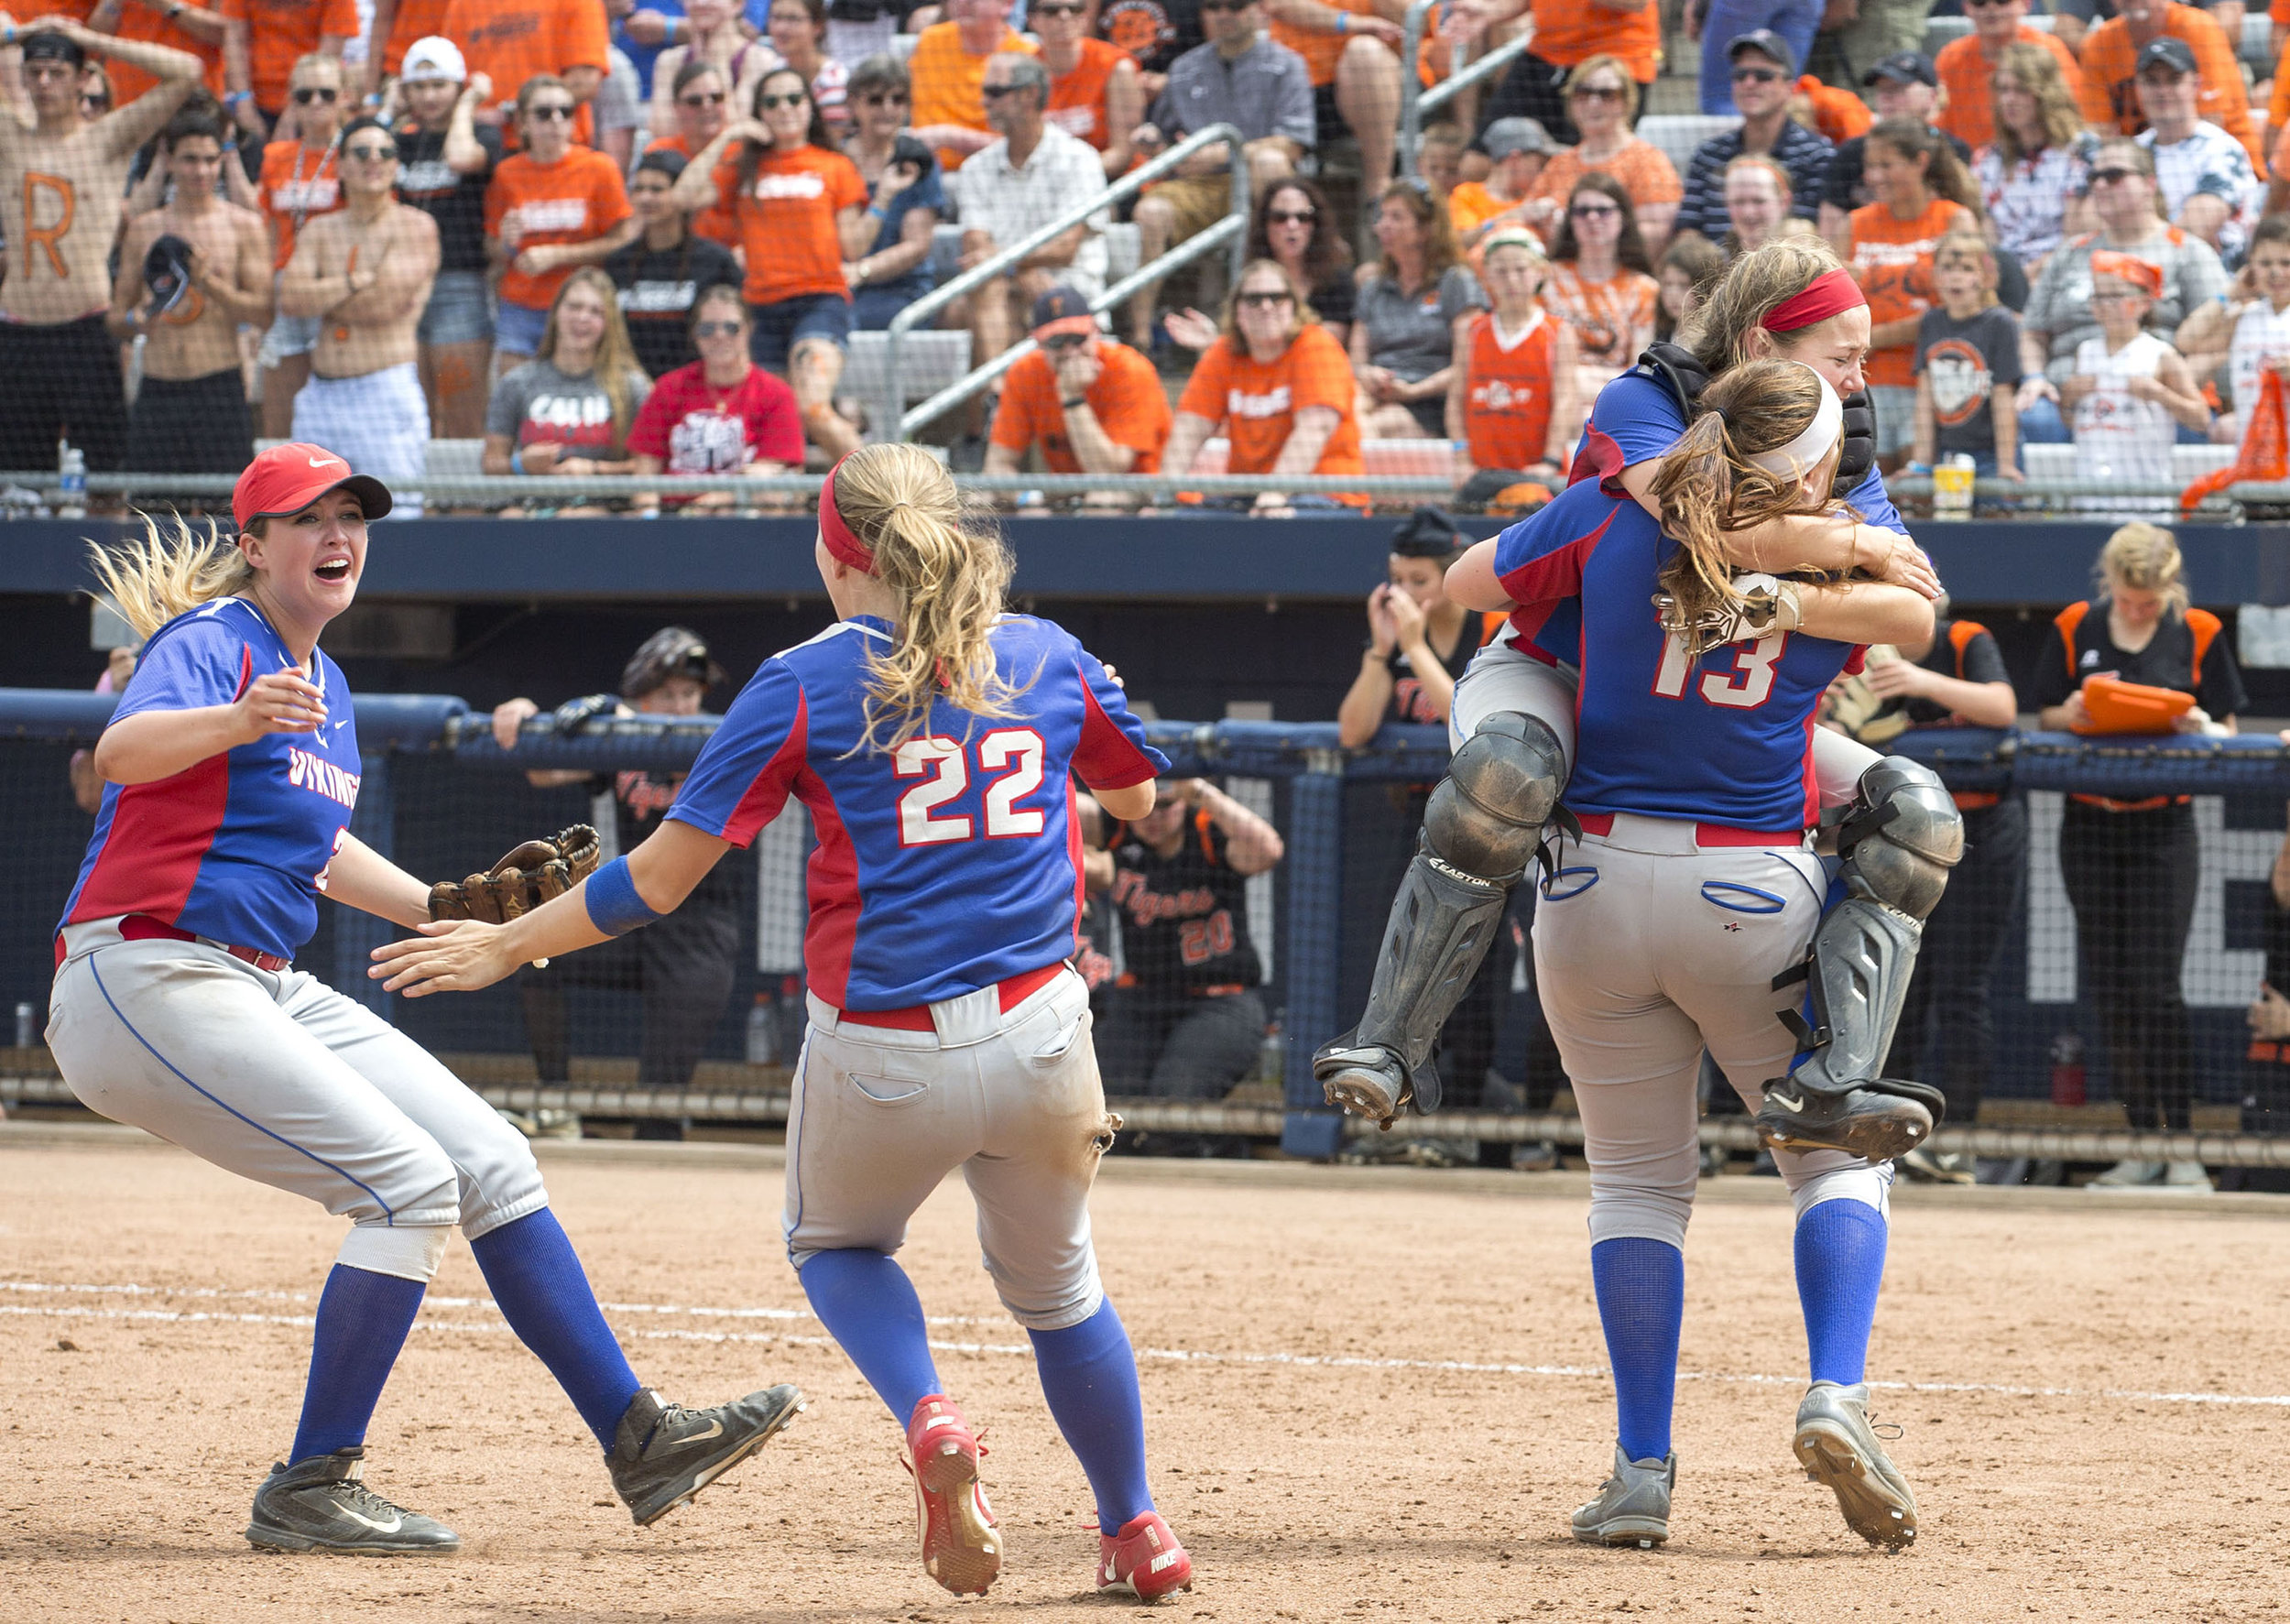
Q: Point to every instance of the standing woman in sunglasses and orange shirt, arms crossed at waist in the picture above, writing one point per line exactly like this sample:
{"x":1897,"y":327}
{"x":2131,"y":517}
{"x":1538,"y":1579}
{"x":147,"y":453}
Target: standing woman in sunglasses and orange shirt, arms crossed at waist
{"x":548,"y":212}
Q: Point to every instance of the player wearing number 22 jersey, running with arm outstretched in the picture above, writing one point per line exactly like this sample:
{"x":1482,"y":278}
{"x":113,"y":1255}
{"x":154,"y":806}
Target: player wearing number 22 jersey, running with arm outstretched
{"x":935,"y":743}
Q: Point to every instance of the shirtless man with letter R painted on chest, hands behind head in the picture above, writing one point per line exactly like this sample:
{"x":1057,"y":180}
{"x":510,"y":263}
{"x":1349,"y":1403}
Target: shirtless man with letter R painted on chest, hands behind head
{"x":63,"y":184}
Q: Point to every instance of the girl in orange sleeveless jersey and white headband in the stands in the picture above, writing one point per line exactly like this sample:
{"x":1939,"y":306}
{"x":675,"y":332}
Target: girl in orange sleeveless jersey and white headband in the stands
{"x":1510,"y":397}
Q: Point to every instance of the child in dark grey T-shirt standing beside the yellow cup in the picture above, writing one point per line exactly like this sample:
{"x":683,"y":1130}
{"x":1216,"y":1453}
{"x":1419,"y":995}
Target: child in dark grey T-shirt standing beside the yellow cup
{"x":1968,"y":365}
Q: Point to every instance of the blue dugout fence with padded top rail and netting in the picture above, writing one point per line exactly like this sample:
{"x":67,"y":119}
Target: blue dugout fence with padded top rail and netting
{"x":443,"y":798}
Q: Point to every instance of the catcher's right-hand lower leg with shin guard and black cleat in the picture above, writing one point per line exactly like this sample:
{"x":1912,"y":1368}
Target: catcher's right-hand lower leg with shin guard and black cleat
{"x":1897,"y":844}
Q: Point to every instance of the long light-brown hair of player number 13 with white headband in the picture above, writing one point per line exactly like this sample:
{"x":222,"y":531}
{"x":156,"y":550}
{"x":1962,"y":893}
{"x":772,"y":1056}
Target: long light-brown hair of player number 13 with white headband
{"x":1709,"y":487}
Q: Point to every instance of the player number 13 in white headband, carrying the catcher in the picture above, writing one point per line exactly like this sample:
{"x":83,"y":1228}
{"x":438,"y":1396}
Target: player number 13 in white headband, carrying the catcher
{"x":1689,"y":890}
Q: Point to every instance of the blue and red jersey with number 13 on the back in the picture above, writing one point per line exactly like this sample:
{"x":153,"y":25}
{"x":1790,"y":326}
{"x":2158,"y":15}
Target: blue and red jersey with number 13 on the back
{"x":1723,"y":739}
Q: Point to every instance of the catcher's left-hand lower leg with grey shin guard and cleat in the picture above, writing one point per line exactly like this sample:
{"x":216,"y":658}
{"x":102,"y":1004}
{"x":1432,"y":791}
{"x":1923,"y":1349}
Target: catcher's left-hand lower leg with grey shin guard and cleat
{"x":1480,"y":833}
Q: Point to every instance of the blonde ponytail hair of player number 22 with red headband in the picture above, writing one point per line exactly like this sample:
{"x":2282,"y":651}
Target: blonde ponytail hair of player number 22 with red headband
{"x":949,"y":574}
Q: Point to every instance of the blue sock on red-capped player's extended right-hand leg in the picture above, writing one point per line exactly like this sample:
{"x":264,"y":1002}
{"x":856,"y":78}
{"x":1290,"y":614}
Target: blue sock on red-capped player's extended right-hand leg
{"x":544,"y":1295}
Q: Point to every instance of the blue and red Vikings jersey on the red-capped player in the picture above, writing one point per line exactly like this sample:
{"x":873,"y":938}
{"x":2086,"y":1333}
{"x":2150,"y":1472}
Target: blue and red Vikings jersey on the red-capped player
{"x":237,"y":846}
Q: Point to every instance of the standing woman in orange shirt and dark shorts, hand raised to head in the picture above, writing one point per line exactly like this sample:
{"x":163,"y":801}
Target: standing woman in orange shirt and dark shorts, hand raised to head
{"x":803,"y":219}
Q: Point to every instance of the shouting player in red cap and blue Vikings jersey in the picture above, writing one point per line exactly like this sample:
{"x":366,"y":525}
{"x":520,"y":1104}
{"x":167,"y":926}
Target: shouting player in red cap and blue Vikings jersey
{"x":230,"y":775}
